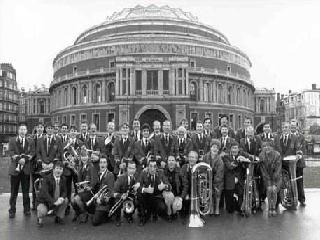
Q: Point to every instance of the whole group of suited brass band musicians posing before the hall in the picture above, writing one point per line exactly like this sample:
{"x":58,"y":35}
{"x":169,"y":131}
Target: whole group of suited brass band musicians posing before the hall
{"x":149,"y":167}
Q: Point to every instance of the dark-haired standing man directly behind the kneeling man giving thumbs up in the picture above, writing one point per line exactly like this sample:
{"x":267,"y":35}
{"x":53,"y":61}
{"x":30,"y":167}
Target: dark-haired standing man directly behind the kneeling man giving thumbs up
{"x":143,"y":148}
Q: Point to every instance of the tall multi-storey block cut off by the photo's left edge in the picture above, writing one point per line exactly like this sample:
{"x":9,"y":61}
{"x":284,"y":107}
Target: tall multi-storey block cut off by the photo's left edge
{"x":8,"y":102}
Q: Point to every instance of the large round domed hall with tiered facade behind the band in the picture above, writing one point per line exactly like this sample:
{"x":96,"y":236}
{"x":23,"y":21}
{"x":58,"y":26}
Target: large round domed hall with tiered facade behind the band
{"x":151,"y":63}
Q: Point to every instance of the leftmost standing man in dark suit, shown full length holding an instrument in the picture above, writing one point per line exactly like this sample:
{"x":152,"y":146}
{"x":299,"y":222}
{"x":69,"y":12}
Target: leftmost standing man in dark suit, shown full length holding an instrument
{"x":21,"y":151}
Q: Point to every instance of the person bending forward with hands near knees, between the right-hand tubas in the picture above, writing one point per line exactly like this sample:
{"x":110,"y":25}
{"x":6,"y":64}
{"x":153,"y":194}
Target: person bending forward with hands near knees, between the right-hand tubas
{"x":270,"y":165}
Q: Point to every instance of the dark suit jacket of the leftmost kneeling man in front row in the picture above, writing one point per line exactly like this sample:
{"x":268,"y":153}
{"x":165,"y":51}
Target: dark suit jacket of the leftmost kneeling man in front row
{"x":46,"y":195}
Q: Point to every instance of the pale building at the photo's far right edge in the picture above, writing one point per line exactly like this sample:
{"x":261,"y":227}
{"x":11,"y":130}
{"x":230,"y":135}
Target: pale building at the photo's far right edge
{"x":303,"y":106}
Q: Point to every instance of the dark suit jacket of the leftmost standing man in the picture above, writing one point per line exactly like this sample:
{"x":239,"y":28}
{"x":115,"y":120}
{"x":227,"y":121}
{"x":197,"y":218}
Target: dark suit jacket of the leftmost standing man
{"x":15,"y":148}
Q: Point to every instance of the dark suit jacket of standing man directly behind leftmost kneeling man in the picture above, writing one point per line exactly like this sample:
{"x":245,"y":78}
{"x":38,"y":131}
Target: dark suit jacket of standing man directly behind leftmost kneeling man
{"x":55,"y":150}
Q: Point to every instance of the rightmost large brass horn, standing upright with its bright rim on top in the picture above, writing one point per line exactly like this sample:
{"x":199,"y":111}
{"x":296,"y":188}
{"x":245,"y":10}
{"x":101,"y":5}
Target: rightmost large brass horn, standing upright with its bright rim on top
{"x":289,"y":190}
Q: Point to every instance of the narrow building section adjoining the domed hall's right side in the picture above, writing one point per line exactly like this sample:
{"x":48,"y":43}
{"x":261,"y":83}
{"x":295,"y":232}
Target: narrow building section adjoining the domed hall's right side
{"x":265,"y":108}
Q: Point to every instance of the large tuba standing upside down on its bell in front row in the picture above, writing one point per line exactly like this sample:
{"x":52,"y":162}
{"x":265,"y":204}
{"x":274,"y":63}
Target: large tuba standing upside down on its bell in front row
{"x":201,"y":193}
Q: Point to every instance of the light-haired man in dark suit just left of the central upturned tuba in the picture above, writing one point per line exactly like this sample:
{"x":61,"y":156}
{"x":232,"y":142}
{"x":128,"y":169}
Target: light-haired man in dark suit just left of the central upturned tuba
{"x":186,"y":184}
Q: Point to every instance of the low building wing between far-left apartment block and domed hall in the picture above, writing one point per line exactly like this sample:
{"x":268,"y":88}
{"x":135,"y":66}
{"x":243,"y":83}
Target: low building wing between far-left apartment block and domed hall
{"x":34,"y":107}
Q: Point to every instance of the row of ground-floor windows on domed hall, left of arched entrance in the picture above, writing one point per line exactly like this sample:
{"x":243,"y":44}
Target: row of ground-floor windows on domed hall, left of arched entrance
{"x":83,"y":117}
